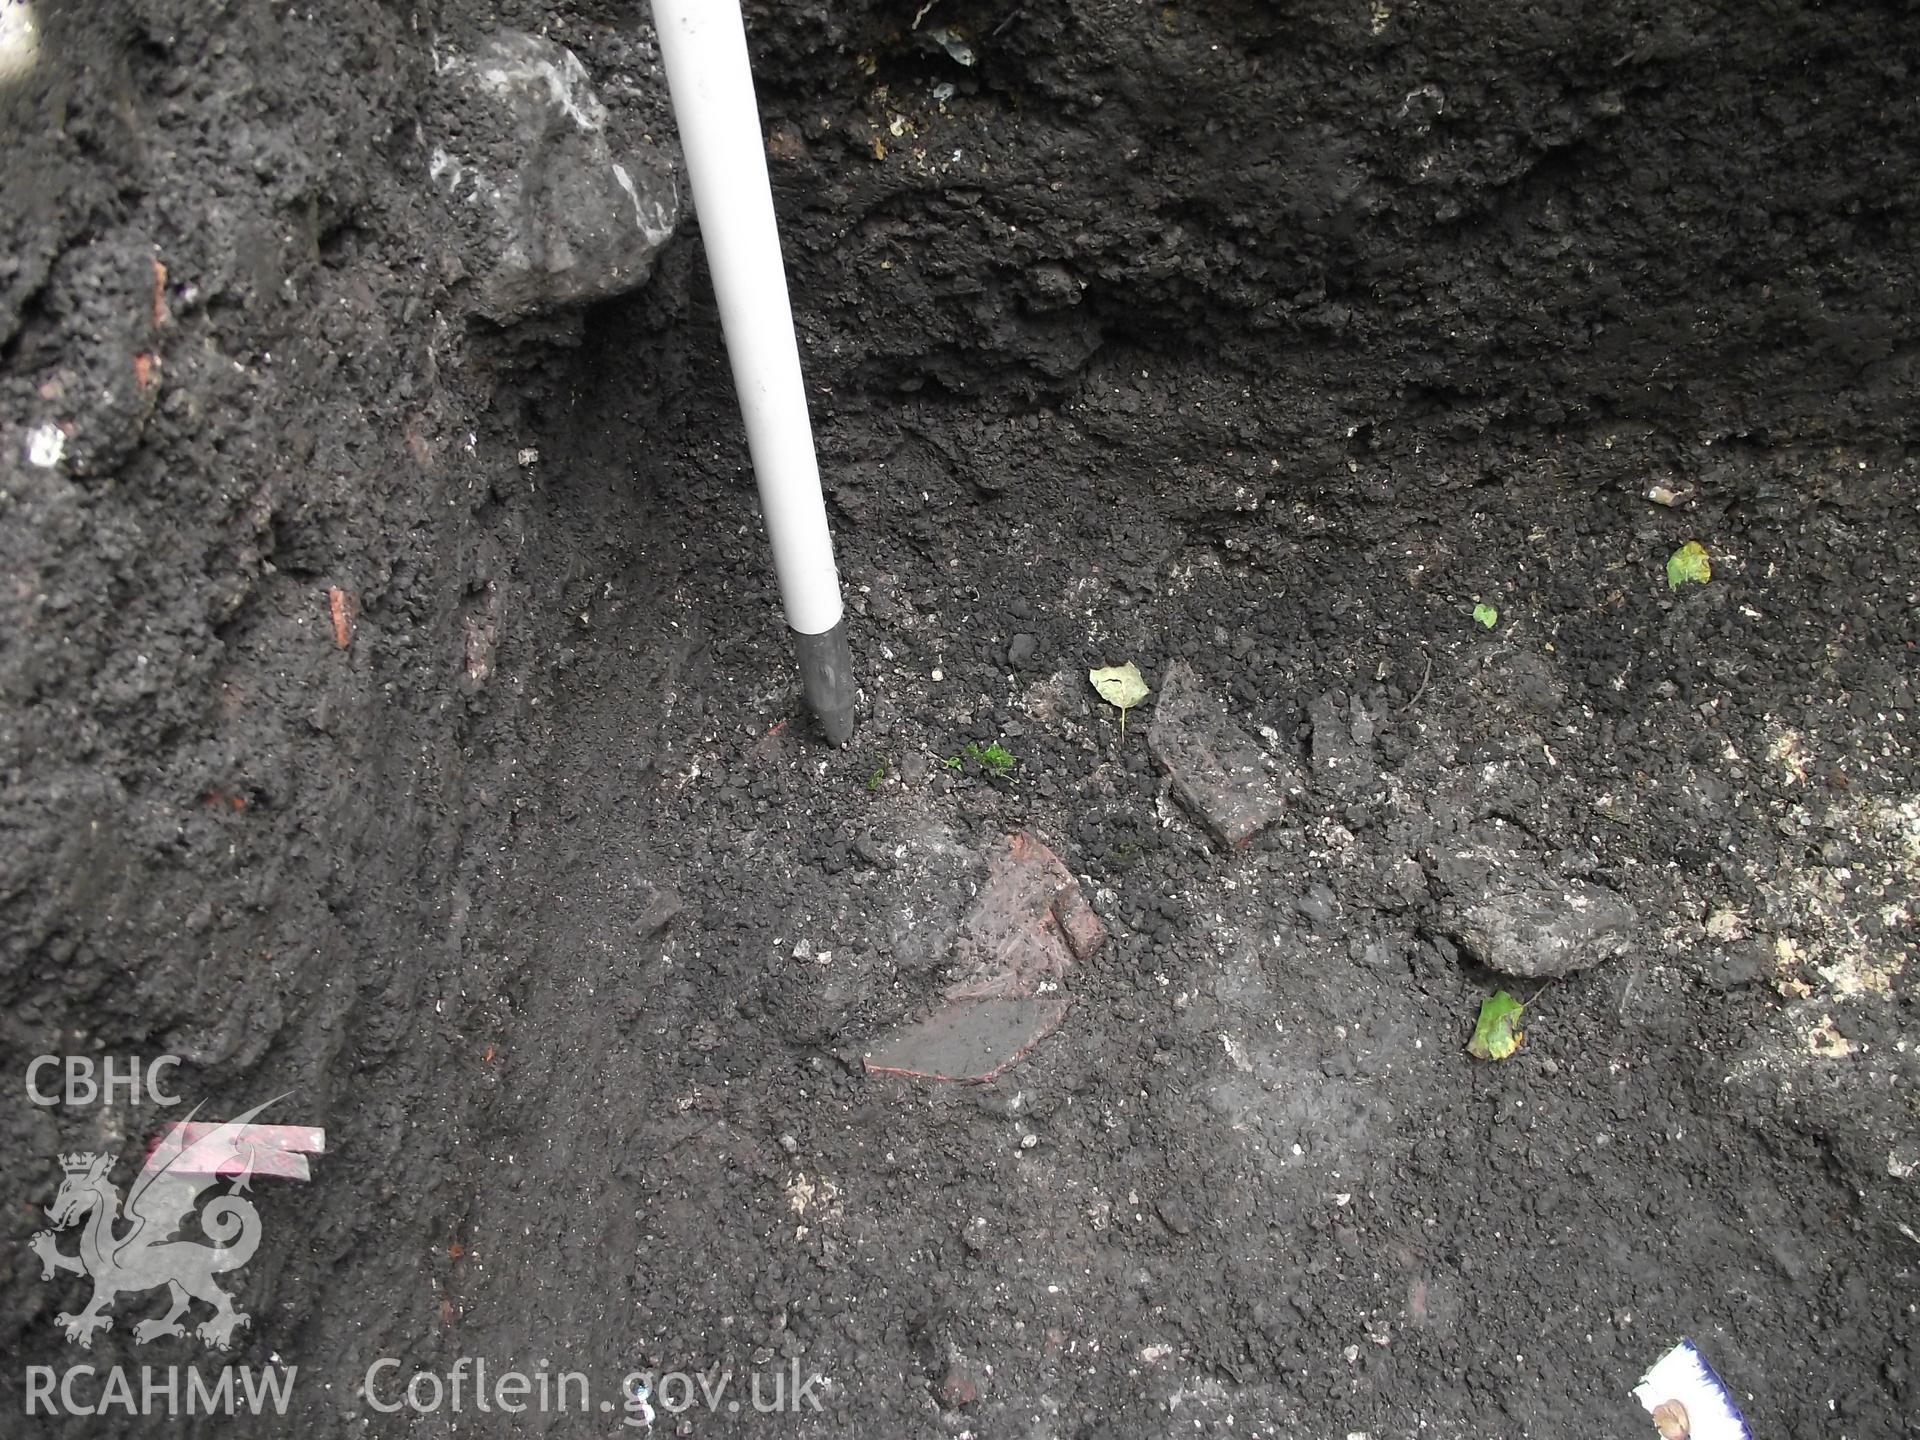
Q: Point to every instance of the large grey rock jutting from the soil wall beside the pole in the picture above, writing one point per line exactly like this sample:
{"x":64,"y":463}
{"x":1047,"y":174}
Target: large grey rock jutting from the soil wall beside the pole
{"x":550,"y":216}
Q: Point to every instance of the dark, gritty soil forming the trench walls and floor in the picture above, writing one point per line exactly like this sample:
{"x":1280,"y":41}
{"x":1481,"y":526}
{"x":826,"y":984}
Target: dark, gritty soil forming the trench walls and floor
{"x":1270,"y":345}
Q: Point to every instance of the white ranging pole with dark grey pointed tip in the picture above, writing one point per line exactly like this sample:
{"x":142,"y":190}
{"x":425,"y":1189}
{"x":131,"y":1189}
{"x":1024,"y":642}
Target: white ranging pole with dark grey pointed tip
{"x":706,"y":49}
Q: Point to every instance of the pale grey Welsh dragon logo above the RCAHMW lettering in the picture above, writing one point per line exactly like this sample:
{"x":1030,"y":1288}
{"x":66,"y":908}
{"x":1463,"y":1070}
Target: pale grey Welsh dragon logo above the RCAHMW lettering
{"x":135,"y":1247}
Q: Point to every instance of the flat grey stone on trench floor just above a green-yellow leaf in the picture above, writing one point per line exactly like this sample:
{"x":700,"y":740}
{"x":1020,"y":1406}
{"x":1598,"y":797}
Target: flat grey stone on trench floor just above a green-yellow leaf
{"x":1514,"y":917}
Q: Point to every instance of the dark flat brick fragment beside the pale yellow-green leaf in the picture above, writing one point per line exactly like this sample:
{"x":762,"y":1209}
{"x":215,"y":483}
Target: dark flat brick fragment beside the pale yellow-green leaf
{"x":1216,"y":767}
